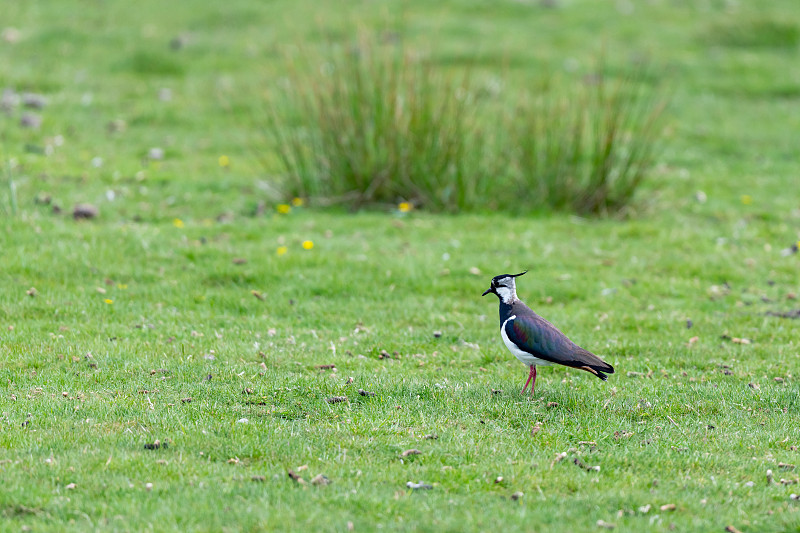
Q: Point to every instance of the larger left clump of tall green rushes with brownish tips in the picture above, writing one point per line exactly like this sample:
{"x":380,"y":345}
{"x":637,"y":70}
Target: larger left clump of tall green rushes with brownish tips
{"x":375,"y":125}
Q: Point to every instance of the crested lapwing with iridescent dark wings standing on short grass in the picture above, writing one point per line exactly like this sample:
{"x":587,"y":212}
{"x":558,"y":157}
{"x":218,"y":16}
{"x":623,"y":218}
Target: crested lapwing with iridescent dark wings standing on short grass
{"x":535,"y":341}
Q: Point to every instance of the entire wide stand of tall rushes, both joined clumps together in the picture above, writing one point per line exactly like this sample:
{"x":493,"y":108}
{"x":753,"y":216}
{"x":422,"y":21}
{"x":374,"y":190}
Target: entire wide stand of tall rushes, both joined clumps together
{"x":372,"y":125}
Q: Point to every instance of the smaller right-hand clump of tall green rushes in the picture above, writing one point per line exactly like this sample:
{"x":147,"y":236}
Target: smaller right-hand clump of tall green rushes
{"x":585,"y":148}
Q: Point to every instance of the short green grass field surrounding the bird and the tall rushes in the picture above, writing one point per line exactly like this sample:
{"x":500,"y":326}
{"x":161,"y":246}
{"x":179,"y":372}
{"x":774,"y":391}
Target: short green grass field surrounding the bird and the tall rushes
{"x":142,"y":325}
